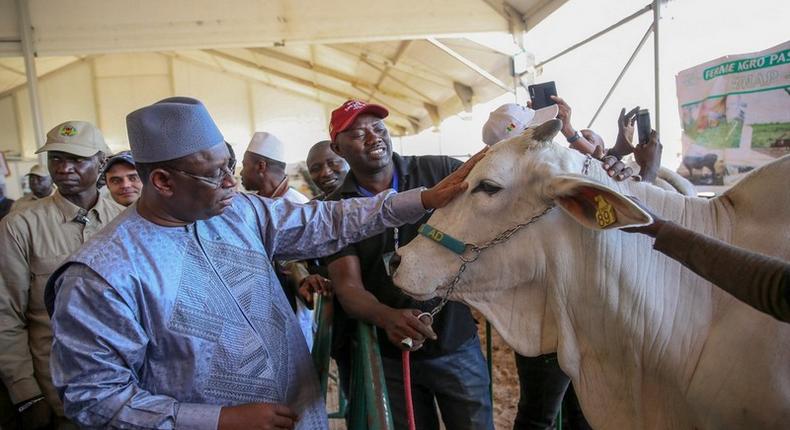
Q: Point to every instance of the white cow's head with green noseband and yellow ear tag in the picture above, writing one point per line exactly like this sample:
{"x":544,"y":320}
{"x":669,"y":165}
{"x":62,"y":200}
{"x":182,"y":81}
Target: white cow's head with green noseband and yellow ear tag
{"x":518,"y":179}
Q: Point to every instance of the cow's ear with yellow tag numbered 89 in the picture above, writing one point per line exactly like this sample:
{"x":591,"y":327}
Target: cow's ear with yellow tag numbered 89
{"x":594,"y":205}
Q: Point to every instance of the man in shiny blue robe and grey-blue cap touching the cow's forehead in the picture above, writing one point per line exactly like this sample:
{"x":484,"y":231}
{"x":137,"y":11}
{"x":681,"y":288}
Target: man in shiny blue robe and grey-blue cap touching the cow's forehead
{"x":173,"y":316}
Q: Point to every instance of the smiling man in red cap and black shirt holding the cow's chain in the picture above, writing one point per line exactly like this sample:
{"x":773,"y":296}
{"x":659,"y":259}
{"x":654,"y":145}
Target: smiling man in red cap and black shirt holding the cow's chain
{"x":447,"y":364}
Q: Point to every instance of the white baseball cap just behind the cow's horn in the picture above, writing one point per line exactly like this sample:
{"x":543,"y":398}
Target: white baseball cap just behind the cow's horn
{"x":511,"y":120}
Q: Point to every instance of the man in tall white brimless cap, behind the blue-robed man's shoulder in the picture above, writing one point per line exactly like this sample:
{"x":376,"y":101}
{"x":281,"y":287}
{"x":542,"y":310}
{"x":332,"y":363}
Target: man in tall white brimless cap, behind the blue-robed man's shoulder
{"x":263,"y":168}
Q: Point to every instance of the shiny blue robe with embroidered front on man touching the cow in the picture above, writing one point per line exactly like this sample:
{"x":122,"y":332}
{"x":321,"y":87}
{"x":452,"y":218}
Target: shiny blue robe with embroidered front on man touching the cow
{"x":159,"y":327}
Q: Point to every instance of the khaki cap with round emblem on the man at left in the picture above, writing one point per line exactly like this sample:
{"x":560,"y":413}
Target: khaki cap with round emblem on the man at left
{"x":80,"y":138}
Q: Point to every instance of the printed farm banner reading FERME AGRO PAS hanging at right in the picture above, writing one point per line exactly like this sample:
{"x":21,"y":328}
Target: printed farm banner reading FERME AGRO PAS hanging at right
{"x":735,"y":114}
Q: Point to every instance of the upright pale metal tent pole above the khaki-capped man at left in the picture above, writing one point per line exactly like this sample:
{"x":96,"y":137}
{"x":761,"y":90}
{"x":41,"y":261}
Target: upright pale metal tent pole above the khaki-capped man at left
{"x":26,"y":33}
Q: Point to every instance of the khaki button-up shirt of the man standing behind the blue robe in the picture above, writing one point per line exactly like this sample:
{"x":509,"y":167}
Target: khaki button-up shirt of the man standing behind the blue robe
{"x":34,"y":242}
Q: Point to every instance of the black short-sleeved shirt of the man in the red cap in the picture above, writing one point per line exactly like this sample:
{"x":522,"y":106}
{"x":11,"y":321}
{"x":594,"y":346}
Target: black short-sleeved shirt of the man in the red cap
{"x":454,"y":325}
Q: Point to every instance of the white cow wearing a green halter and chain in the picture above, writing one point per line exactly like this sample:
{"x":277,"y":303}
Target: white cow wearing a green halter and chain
{"x":647,"y":343}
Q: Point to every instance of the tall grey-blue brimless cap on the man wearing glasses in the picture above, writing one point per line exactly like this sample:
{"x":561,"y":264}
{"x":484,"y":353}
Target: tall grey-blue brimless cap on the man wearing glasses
{"x":171,"y":128}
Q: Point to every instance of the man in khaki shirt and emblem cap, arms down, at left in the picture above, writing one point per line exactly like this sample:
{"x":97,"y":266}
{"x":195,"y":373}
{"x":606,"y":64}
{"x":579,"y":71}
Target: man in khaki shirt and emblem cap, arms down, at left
{"x":34,"y":242}
